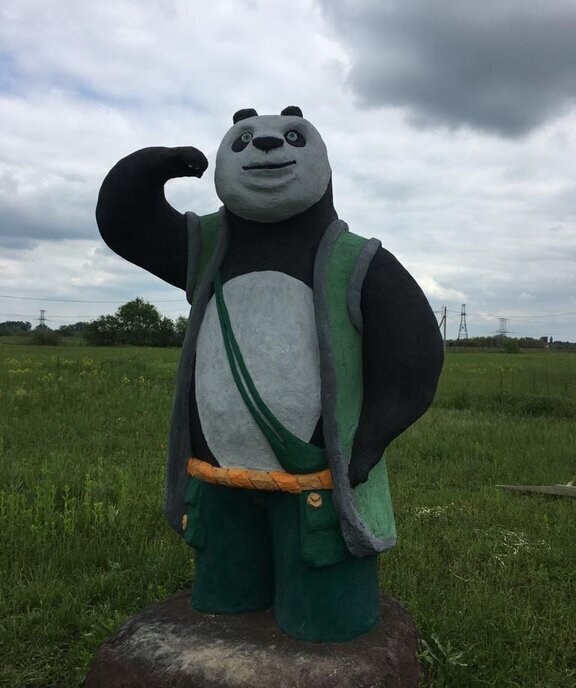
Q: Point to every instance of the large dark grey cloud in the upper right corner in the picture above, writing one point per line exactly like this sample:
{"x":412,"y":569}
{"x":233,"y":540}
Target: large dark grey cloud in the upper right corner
{"x":501,"y":66}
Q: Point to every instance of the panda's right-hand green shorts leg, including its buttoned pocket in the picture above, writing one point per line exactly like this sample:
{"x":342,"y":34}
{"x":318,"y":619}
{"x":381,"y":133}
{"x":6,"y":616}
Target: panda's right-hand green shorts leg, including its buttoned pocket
{"x":322,"y":594}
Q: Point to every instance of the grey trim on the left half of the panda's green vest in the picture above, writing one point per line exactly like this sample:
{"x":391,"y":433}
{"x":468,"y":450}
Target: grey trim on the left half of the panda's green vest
{"x":179,"y":449}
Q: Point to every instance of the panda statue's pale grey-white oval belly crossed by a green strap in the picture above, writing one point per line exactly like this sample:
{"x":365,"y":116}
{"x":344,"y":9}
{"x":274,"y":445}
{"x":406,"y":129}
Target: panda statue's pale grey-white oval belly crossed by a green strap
{"x":272,"y":316}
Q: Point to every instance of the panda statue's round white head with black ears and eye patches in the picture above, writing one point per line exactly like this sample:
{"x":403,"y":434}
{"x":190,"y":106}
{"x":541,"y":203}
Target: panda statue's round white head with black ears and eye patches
{"x":271,"y":167}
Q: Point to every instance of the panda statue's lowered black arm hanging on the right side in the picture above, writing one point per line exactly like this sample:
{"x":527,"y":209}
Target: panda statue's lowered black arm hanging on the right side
{"x":402,"y":358}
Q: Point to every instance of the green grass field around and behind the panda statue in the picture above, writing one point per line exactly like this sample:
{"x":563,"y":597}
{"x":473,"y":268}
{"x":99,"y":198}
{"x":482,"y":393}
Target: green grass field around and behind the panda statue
{"x":489,"y":576}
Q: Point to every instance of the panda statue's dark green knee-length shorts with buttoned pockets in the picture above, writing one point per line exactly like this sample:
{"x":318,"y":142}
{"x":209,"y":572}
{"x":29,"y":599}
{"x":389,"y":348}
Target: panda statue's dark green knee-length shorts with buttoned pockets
{"x":257,"y":549}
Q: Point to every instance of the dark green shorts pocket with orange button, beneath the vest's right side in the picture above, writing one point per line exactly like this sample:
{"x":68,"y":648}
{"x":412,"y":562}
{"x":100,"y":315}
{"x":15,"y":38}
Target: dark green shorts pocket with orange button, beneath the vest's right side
{"x":321,"y":535}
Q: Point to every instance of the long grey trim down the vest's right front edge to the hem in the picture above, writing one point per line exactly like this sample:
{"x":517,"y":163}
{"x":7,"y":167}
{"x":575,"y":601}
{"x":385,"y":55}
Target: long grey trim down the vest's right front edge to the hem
{"x":360,"y":541}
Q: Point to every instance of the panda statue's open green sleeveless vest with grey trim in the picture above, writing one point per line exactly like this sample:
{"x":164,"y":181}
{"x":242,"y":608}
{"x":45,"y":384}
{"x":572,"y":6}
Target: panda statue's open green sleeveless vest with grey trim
{"x":342,"y":260}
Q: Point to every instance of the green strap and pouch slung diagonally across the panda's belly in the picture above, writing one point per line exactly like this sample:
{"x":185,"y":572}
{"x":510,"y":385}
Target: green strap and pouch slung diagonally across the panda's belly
{"x":294,"y":454}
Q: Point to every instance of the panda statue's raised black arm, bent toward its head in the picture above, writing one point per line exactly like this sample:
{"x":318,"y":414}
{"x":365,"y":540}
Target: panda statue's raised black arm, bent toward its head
{"x":134,"y":217}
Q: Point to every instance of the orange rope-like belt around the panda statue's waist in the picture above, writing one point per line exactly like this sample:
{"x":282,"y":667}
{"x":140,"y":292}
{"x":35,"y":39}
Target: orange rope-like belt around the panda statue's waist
{"x":260,"y":480}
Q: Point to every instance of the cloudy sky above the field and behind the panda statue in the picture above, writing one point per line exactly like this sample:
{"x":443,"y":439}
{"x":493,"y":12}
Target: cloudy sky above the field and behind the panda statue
{"x":450,"y":127}
